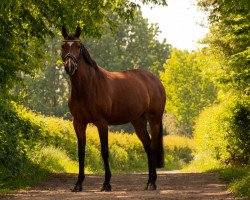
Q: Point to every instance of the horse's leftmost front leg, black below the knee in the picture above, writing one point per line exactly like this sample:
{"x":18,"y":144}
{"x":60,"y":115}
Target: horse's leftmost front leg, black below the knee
{"x":80,"y":129}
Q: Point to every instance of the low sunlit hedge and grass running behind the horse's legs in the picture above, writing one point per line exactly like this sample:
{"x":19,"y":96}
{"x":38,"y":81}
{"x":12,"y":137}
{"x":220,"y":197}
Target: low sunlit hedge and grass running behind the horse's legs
{"x":33,"y":145}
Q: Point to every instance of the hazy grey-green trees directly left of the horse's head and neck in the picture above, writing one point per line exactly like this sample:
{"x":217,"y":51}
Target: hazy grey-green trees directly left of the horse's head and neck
{"x":47,"y":91}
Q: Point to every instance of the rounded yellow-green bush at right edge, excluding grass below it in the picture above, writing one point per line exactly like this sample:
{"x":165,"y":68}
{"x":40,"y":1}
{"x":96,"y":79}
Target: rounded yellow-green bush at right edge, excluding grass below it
{"x":222,"y":132}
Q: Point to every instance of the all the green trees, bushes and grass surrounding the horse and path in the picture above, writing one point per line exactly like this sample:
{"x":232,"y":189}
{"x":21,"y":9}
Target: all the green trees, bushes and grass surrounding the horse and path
{"x":207,"y":114}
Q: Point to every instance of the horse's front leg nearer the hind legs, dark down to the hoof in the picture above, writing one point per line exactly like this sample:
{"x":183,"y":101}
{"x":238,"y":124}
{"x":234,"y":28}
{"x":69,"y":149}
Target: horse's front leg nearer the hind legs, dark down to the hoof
{"x":103,"y":133}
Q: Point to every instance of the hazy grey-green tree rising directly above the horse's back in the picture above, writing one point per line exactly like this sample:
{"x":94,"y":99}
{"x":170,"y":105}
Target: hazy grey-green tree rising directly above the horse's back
{"x":129,"y":46}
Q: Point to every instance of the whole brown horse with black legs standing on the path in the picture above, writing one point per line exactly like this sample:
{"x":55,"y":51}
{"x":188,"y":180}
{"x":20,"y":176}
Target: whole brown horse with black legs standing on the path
{"x":110,"y":98}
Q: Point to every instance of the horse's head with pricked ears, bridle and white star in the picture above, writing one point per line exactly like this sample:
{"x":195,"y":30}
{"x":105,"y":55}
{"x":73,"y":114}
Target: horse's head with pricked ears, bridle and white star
{"x":71,"y":50}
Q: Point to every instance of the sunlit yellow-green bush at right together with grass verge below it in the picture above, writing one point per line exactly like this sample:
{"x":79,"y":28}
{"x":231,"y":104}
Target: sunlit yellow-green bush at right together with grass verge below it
{"x":222,"y":138}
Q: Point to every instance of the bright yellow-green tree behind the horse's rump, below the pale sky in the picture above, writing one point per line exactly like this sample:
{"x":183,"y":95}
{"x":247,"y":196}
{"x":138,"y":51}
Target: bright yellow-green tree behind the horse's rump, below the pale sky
{"x":187,"y":89}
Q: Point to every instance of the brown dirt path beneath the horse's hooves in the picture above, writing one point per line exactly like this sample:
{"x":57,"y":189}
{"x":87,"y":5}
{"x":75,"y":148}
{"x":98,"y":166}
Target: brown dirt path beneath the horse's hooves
{"x":171,"y":185}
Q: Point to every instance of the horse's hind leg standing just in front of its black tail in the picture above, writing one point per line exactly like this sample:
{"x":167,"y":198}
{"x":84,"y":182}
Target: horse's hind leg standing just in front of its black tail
{"x":140,"y":126}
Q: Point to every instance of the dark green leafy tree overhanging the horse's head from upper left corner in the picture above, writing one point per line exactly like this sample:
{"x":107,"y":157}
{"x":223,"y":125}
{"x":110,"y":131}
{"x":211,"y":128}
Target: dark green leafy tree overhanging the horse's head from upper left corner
{"x":26,"y":24}
